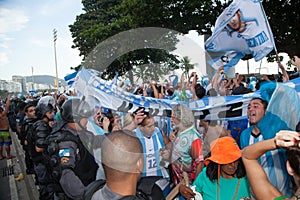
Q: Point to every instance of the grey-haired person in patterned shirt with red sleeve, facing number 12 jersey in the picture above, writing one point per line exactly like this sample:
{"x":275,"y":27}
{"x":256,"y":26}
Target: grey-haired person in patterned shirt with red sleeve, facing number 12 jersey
{"x":186,"y":147}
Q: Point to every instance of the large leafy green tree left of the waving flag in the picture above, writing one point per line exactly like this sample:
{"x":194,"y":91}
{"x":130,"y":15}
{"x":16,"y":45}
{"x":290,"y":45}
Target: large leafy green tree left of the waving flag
{"x":103,"y":19}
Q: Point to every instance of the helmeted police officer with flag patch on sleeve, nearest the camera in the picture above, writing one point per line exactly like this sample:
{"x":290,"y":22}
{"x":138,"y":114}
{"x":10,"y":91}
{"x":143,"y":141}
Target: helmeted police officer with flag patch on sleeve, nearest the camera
{"x":73,"y":165}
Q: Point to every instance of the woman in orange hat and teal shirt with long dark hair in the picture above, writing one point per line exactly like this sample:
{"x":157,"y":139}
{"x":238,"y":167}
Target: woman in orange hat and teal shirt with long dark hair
{"x":224,"y":176}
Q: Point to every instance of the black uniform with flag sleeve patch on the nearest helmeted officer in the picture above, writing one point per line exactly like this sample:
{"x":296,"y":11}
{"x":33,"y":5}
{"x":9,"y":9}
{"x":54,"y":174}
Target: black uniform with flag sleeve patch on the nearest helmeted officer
{"x":75,"y":167}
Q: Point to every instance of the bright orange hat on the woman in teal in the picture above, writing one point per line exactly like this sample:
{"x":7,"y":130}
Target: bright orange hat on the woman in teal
{"x":224,"y":150}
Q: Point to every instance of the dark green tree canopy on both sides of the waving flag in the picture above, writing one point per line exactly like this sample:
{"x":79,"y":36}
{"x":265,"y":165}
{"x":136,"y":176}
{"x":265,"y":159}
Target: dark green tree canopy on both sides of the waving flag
{"x":103,"y":19}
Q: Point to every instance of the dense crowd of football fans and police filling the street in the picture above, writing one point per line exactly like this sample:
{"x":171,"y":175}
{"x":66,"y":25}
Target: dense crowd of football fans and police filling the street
{"x":76,"y":150}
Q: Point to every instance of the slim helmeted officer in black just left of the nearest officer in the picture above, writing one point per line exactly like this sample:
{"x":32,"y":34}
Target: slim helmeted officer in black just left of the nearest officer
{"x":37,"y":144}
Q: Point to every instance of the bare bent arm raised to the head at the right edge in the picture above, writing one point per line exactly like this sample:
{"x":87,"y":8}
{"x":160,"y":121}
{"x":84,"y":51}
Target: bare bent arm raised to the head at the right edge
{"x":259,"y":182}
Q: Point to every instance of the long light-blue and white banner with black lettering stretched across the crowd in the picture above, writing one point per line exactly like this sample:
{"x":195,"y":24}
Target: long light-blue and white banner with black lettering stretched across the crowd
{"x":102,"y":93}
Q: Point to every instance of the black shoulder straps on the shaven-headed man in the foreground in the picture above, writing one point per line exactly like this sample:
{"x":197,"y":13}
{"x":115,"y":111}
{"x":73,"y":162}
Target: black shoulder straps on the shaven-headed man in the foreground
{"x":98,"y":184}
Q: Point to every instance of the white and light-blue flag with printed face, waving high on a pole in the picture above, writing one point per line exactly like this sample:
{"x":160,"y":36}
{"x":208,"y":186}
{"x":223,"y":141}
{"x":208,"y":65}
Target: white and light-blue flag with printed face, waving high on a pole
{"x":242,"y":28}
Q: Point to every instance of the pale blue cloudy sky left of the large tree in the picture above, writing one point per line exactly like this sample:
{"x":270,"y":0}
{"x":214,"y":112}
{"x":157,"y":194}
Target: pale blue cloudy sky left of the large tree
{"x":26,"y":37}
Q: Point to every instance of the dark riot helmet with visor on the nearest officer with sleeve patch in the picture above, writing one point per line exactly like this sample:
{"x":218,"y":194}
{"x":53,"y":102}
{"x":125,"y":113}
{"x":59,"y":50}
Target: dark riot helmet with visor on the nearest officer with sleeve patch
{"x":73,"y":110}
